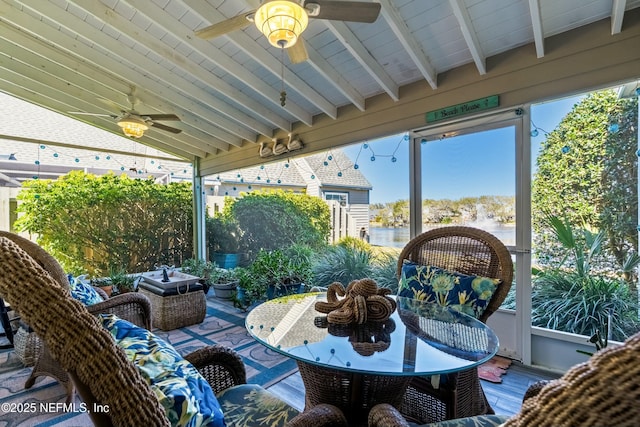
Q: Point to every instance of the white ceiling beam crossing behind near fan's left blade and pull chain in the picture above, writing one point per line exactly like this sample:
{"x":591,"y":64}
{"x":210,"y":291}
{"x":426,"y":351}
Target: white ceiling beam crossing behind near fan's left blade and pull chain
{"x":264,"y":58}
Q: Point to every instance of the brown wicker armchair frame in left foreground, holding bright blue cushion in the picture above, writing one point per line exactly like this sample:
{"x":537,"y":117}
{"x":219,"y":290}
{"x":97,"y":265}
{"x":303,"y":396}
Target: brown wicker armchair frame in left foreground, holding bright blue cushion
{"x":99,"y":369}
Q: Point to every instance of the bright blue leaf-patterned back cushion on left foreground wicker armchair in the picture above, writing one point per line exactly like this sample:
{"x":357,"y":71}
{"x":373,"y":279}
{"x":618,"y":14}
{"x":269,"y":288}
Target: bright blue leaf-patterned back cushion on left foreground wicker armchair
{"x":184,"y":394}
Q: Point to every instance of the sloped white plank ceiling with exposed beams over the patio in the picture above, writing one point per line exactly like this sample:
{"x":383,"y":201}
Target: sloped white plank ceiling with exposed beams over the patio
{"x":88,"y":56}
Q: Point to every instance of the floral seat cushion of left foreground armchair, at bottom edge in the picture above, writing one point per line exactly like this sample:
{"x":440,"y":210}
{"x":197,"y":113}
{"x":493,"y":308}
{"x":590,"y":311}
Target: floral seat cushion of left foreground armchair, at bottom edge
{"x":249,"y":405}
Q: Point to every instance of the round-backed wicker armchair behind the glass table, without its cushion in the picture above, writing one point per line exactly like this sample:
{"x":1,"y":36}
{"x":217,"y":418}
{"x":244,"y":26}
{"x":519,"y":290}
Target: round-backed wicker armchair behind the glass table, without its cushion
{"x":468,"y":251}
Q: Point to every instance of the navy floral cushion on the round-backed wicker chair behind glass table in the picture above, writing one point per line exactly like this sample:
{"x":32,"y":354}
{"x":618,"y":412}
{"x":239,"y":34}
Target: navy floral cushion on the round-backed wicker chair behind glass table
{"x":466,"y":294}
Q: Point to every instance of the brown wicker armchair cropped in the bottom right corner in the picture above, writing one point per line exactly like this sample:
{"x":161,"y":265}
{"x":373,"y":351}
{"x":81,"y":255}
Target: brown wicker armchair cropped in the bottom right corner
{"x":603,"y":391}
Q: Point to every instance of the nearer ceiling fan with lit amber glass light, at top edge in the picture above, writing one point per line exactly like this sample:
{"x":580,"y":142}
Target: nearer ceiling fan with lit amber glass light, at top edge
{"x":282,"y":21}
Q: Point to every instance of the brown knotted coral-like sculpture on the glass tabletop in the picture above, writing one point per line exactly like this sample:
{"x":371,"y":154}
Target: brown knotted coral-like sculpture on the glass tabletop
{"x":362,"y":301}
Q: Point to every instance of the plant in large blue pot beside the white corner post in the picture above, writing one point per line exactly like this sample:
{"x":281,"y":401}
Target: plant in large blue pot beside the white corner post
{"x":223,"y":240}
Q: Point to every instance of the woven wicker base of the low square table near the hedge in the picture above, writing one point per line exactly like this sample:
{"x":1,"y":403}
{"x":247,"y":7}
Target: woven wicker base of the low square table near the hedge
{"x":175,"y":308}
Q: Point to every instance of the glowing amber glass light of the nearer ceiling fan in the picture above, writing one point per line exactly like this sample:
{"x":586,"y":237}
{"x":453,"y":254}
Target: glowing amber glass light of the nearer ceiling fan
{"x":281,"y":22}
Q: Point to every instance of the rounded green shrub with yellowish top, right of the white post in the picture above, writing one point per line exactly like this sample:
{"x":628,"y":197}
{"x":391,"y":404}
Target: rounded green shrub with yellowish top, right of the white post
{"x":277,"y":219}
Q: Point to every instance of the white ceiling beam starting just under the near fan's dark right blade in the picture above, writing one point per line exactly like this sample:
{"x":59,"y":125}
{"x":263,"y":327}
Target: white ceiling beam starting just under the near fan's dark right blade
{"x":362,"y":55}
